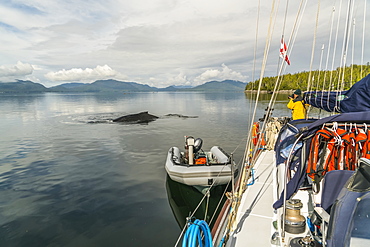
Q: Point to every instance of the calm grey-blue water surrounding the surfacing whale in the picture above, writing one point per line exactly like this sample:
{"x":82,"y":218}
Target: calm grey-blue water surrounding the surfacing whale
{"x":71,"y":177}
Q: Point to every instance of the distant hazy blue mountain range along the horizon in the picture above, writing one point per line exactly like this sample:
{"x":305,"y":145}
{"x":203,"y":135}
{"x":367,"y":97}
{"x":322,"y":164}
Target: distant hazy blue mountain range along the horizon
{"x":108,"y":86}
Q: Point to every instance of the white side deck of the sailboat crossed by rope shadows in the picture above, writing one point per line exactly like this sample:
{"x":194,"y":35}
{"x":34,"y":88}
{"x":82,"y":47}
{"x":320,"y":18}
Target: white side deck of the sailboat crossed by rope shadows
{"x":254,"y":218}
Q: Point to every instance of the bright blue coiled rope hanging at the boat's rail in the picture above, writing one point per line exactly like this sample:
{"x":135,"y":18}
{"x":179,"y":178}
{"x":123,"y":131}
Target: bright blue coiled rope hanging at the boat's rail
{"x":197,"y":233}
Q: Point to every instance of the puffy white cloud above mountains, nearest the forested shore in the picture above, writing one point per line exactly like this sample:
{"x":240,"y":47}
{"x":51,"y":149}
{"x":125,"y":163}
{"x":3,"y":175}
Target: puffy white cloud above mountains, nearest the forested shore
{"x":225,"y":74}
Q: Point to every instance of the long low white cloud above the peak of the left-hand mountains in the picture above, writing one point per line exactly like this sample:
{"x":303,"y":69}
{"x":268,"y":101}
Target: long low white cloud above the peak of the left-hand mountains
{"x":78,"y":74}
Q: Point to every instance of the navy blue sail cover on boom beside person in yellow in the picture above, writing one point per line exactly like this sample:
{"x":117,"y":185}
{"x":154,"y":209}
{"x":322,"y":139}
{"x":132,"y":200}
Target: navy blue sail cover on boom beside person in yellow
{"x":356,"y":99}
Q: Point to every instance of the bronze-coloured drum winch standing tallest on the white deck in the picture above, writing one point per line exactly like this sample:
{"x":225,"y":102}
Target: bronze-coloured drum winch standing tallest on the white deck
{"x":295,"y":223}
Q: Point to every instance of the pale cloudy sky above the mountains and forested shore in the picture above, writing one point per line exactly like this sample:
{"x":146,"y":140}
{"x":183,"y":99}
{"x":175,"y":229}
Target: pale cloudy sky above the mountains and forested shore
{"x":169,"y":42}
